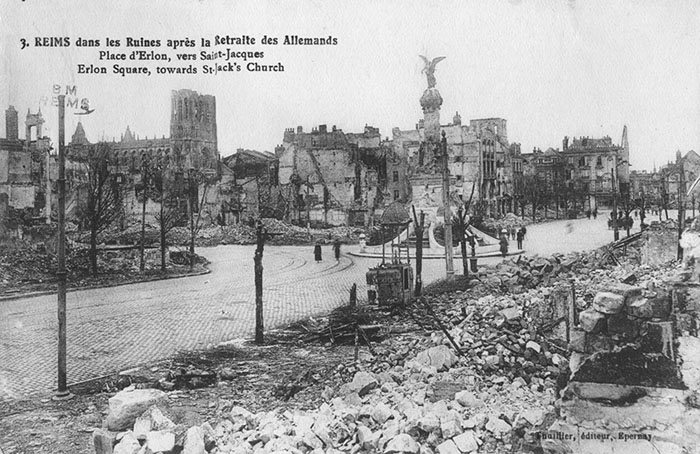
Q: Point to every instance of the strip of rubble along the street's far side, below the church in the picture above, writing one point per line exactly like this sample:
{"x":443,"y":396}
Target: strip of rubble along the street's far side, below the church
{"x":28,"y":268}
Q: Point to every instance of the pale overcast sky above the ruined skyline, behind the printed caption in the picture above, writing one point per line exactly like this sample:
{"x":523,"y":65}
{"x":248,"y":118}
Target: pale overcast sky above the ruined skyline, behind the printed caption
{"x":551,"y":68}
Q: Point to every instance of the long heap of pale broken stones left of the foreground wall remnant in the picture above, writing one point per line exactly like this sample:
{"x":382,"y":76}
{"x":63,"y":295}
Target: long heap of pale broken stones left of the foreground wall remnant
{"x":484,"y":377}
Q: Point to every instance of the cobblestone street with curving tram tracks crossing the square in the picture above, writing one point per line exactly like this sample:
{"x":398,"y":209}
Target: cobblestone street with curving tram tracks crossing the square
{"x":116,"y":328}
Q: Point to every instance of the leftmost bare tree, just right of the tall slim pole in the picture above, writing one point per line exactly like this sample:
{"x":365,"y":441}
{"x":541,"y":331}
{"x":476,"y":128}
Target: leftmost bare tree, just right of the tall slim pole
{"x":103,"y":199}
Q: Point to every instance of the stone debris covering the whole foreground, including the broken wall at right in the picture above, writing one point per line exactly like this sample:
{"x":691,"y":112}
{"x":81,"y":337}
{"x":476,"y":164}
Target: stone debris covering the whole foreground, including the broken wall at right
{"x":483,"y":369}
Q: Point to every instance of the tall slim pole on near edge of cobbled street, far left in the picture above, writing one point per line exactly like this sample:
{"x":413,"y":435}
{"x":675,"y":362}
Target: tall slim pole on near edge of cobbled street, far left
{"x":62,"y":393}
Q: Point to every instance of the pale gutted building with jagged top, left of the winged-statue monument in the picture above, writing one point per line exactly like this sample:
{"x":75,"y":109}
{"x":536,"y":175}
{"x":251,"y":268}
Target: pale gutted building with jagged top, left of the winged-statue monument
{"x":333,"y":177}
